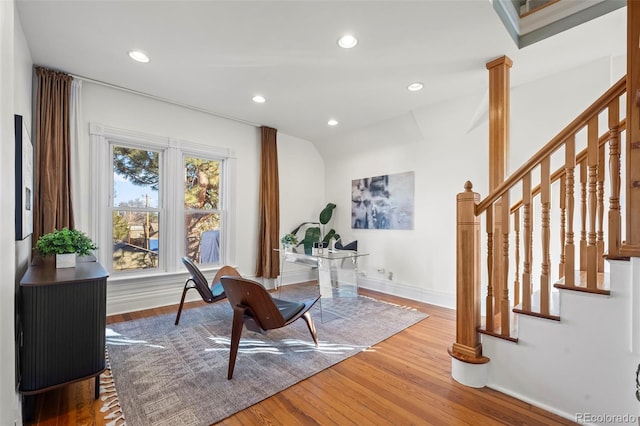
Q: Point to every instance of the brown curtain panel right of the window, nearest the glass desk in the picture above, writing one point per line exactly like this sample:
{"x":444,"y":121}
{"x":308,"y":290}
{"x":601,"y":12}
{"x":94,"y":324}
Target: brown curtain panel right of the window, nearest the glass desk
{"x":268,"y":264}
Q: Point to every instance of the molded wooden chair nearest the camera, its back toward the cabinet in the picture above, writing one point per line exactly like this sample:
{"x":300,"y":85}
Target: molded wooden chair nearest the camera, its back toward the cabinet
{"x":254,"y":307}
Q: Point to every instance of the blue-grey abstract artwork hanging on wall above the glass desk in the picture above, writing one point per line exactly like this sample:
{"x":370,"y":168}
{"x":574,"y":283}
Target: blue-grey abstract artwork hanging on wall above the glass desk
{"x":383,"y":202}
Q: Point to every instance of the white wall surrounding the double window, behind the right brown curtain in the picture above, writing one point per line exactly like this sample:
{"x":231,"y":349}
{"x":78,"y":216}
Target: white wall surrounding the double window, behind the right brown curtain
{"x":301,"y":177}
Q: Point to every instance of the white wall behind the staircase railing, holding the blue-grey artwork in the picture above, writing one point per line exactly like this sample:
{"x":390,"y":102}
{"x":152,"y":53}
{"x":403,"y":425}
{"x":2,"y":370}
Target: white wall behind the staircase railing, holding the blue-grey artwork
{"x":445,"y":146}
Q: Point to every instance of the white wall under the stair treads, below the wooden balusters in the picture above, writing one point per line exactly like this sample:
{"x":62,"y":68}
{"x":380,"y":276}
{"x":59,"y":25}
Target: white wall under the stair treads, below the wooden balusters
{"x":582,"y":367}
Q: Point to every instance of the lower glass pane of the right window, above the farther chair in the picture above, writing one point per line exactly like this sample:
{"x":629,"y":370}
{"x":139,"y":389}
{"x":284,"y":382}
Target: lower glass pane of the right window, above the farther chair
{"x":202,"y":232}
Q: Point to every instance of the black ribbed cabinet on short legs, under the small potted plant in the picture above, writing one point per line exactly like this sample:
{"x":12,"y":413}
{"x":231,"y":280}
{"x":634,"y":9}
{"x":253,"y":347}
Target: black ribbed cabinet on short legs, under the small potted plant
{"x":62,"y":319}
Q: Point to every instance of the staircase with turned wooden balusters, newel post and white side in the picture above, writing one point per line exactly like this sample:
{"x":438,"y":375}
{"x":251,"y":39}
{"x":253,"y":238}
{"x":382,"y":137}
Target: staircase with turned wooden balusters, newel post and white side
{"x":542,"y":278}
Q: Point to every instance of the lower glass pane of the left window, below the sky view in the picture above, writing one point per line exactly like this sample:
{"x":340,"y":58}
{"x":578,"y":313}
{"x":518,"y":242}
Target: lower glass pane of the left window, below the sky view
{"x":136,"y":239}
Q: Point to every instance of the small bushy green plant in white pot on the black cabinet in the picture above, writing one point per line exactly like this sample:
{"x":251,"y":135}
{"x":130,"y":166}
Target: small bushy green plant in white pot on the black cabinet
{"x":66,"y":244}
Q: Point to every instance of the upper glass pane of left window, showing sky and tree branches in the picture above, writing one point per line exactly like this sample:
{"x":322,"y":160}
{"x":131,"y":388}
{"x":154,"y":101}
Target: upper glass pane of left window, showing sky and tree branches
{"x":135,"y":177}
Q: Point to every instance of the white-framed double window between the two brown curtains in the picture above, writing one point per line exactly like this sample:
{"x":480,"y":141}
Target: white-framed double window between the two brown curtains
{"x":166,"y":199}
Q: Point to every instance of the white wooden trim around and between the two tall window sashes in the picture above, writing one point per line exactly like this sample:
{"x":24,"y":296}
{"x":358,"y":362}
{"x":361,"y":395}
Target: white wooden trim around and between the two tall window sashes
{"x":101,"y":138}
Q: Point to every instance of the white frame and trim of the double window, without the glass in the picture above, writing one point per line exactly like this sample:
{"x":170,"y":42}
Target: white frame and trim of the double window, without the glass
{"x":171,"y":198}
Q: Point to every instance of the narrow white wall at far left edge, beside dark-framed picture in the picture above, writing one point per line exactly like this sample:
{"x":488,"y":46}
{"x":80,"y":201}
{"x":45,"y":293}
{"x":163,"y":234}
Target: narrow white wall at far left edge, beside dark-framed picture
{"x":15,"y":98}
